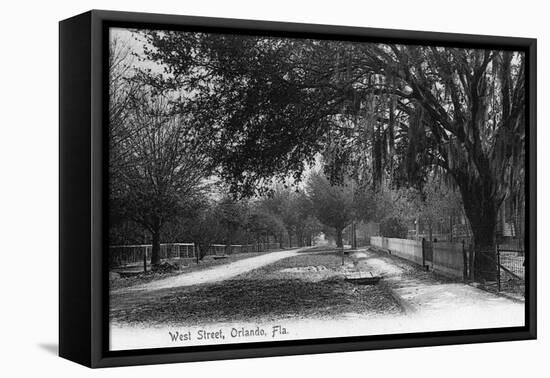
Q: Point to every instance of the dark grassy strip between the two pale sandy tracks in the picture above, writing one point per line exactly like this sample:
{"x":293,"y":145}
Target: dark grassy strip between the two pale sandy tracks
{"x":264,"y":294}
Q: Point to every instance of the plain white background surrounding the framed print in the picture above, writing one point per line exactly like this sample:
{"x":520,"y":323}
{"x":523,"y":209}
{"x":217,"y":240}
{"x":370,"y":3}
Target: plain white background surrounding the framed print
{"x":28,"y":190}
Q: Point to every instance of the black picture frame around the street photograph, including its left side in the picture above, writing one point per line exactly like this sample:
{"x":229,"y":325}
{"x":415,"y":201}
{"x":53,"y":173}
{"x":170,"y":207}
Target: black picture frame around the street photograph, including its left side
{"x":83,"y":290}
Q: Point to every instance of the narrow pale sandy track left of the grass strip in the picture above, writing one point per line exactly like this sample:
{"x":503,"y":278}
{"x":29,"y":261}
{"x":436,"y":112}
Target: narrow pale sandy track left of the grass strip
{"x":214,"y":274}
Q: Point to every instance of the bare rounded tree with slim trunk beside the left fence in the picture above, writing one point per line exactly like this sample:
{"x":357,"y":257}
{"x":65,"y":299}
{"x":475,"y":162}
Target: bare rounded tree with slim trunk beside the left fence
{"x":162,"y":171}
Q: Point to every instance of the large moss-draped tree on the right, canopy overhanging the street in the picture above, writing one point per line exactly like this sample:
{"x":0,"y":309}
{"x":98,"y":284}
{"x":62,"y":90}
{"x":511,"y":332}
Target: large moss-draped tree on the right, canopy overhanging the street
{"x":373,"y":109}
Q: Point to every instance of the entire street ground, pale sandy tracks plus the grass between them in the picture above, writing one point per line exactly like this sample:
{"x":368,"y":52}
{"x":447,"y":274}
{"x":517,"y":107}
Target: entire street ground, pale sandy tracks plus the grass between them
{"x":306,"y":294}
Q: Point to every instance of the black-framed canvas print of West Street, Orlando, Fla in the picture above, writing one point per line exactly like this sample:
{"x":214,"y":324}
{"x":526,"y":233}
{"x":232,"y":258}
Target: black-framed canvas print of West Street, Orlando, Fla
{"x":234,"y":188}
